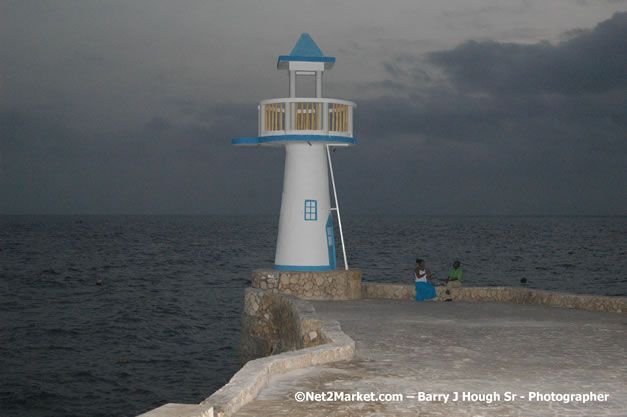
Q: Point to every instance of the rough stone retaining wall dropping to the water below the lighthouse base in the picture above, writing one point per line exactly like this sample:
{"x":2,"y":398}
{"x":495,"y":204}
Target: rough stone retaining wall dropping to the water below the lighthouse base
{"x":273,"y":323}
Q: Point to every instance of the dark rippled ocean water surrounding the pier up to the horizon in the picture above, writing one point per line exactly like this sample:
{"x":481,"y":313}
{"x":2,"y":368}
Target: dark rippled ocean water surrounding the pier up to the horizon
{"x":116,"y":315}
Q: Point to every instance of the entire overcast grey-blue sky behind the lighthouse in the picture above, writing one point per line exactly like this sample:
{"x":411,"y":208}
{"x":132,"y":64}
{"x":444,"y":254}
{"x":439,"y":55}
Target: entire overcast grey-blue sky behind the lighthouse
{"x":463,"y":106}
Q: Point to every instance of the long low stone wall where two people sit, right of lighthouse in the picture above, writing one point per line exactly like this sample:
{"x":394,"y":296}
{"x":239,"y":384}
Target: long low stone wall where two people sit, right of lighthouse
{"x":503,"y":294}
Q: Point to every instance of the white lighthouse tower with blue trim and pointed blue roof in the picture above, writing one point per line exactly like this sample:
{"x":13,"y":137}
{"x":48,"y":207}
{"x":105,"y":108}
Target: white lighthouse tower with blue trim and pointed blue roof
{"x":306,"y":127}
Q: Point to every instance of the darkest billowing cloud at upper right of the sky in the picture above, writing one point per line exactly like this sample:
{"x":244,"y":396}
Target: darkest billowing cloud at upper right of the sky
{"x":591,"y":61}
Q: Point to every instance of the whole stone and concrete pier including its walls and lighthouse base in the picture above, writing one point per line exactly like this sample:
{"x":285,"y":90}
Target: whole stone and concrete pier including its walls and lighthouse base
{"x":492,"y":351}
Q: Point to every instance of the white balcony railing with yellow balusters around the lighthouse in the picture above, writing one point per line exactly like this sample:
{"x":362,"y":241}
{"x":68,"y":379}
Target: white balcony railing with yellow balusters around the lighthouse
{"x":306,"y":116}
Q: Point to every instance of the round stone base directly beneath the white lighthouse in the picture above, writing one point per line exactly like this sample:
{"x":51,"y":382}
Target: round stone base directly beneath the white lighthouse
{"x":337,"y":284}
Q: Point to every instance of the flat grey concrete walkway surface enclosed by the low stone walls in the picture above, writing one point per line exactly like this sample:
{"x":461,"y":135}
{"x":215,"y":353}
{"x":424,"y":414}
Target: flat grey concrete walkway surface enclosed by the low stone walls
{"x":484,"y":350}
